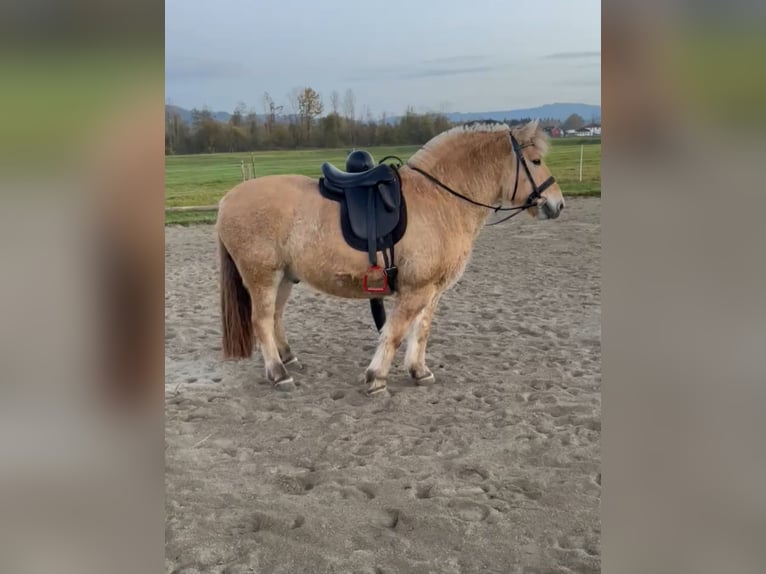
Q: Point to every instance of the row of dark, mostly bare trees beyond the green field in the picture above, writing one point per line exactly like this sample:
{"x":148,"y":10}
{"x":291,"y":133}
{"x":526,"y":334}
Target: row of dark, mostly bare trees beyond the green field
{"x":299,"y":124}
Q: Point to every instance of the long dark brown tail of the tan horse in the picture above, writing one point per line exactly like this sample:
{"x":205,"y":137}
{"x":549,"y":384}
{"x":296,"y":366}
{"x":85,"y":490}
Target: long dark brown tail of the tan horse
{"x":235,"y":309}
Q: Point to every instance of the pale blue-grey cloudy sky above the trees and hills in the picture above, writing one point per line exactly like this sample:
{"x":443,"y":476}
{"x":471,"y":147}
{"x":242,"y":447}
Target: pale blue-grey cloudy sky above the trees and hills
{"x":433,"y":55}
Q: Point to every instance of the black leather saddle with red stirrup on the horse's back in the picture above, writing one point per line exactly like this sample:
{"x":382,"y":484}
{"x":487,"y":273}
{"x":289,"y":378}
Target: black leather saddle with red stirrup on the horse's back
{"x":373,"y":213}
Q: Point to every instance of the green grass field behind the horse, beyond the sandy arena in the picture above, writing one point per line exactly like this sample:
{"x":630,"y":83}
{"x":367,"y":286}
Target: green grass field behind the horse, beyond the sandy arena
{"x":204,"y":179}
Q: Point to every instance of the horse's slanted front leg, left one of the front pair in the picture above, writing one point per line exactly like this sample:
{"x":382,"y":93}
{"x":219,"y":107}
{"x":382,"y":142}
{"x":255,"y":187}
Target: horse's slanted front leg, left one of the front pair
{"x":408,"y":307}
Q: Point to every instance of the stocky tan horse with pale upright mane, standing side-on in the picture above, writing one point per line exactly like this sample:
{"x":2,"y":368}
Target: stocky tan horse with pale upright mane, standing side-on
{"x":278,"y":230}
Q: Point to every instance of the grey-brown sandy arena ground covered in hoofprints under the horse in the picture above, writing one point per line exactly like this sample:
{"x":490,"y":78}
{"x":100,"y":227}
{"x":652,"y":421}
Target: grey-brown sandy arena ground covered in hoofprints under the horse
{"x":494,"y":468}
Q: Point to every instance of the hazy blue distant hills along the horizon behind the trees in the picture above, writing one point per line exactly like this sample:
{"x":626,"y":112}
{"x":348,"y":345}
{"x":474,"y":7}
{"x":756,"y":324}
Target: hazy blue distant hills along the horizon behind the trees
{"x":558,"y":111}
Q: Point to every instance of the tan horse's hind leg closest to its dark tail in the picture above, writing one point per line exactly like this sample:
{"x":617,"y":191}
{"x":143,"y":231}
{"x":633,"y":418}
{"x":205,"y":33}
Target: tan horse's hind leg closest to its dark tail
{"x":264,"y":298}
